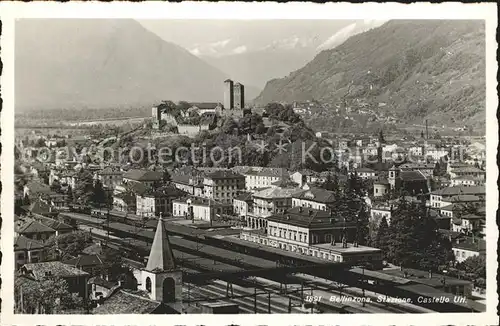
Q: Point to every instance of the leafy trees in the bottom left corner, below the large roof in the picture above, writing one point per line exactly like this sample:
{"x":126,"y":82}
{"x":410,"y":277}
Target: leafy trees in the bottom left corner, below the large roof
{"x":48,"y":296}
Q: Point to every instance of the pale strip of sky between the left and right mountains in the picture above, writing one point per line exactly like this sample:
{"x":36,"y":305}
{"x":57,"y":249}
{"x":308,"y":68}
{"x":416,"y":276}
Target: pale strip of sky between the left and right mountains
{"x":223,"y":37}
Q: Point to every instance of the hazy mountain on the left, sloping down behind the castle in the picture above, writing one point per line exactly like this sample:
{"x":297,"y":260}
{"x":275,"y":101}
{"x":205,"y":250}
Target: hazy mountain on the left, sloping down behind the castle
{"x":104,"y":63}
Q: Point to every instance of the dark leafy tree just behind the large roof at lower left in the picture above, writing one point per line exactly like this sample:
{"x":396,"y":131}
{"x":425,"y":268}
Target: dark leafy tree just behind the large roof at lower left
{"x":67,"y":245}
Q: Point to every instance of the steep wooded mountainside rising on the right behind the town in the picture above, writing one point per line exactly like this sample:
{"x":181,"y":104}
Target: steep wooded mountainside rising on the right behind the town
{"x":422,"y":69}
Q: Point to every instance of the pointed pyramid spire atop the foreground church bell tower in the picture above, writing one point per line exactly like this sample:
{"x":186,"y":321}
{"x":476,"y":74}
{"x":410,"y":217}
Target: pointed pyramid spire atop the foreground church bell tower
{"x":161,"y":256}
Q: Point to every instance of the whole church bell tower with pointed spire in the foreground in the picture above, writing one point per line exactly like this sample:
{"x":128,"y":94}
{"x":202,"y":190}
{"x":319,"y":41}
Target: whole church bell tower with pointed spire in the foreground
{"x":161,"y":278}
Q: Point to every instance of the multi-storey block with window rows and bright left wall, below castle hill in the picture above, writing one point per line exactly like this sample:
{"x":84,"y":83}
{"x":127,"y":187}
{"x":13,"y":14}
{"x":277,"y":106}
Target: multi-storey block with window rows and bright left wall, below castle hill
{"x":223,"y":185}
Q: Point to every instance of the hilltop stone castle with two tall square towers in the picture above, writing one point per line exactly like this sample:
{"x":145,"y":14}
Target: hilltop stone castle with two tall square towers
{"x":203,"y":116}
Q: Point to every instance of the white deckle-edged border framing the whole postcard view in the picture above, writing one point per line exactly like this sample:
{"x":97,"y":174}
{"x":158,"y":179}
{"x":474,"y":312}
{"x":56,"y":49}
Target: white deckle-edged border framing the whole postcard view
{"x":204,"y":10}
